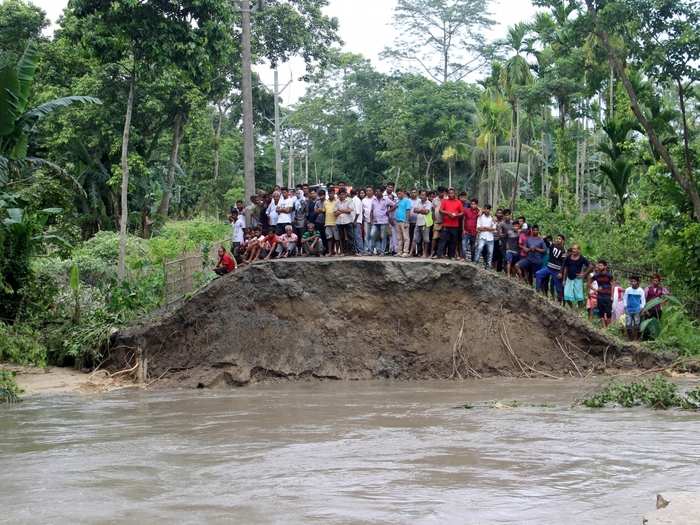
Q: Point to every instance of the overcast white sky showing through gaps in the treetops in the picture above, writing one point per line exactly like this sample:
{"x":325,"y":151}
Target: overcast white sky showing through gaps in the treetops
{"x":365,"y":27}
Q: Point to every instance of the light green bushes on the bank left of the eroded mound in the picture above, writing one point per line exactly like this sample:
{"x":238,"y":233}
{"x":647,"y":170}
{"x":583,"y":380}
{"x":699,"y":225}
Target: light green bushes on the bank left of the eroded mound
{"x":47,"y":329}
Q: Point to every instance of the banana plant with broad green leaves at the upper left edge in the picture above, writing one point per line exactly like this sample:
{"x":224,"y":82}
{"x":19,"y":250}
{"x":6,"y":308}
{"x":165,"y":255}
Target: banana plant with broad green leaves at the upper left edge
{"x":17,"y":120}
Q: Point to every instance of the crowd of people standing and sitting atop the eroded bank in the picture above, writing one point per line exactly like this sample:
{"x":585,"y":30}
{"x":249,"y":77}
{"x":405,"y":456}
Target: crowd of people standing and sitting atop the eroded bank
{"x":383,"y":221}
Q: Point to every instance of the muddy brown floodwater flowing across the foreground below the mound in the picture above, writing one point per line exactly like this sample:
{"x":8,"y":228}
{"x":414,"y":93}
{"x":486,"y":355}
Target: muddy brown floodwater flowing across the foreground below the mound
{"x":332,"y":452}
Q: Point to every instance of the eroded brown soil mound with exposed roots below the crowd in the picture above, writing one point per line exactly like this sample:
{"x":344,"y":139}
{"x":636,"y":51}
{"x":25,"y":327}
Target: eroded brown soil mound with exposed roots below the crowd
{"x":363,"y":318}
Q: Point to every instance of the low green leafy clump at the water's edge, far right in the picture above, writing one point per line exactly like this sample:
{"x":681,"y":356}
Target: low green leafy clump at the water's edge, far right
{"x":657,"y":393}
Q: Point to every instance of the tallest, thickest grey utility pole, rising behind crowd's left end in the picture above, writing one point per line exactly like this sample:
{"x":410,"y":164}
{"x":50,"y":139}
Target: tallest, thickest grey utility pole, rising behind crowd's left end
{"x":247,"y":86}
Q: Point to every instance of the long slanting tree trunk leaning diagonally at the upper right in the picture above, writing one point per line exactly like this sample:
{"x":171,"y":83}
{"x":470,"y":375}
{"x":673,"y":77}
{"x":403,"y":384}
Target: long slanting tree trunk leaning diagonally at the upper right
{"x":685,"y":181}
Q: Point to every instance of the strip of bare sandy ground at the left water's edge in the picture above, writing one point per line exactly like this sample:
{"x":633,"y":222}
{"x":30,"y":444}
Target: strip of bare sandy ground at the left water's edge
{"x":57,"y":380}
